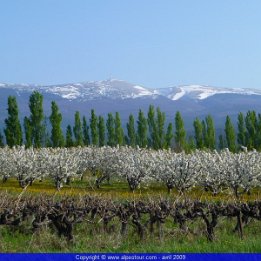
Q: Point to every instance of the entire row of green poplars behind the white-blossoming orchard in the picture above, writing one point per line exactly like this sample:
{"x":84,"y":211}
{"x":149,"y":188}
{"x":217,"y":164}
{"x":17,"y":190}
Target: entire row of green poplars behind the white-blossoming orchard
{"x":151,"y":130}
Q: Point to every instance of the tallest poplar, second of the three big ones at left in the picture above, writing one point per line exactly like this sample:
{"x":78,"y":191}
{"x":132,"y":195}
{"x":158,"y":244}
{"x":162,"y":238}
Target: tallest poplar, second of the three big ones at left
{"x":36,"y":118}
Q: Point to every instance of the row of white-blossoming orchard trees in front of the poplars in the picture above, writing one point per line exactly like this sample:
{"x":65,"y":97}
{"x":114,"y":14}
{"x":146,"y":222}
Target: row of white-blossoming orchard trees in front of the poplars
{"x":211,"y":171}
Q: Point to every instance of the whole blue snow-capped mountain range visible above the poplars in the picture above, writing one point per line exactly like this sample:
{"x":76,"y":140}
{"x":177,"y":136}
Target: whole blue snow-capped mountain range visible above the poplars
{"x":115,"y":95}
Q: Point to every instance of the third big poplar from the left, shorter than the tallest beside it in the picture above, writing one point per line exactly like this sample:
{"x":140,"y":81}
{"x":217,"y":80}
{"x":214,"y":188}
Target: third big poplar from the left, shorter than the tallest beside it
{"x":57,"y":138}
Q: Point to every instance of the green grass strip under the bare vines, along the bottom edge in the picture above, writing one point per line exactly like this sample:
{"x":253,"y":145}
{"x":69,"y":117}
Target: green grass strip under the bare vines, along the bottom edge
{"x":174,"y":241}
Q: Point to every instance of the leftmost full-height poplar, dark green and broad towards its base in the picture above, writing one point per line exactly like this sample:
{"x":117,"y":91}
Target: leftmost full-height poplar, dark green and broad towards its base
{"x":13,"y":130}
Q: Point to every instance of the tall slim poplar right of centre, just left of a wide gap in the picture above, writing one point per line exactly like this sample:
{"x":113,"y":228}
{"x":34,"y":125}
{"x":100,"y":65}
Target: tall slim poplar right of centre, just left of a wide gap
{"x":180,"y":133}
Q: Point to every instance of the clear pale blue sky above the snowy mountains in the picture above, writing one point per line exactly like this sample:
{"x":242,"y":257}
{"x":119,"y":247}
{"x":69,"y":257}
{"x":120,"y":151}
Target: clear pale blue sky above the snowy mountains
{"x":147,"y":42}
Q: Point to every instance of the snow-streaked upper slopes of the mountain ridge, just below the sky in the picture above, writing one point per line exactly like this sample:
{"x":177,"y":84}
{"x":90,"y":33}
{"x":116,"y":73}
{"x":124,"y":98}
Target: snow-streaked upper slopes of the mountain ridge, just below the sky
{"x":118,"y":89}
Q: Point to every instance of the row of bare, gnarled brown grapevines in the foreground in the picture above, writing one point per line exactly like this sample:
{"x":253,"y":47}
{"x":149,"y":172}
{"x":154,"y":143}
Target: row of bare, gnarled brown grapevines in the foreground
{"x":143,"y":219}
